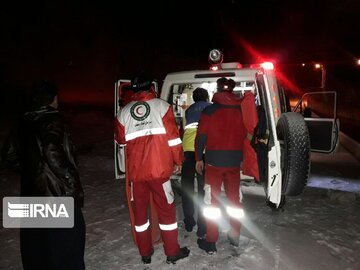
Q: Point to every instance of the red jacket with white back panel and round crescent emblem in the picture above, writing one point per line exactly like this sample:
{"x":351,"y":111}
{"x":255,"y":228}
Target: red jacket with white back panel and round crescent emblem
{"x":147,"y":126}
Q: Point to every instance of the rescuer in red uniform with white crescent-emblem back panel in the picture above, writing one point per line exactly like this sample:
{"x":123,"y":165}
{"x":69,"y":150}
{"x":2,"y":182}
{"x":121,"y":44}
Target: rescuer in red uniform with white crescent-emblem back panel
{"x":153,"y":152}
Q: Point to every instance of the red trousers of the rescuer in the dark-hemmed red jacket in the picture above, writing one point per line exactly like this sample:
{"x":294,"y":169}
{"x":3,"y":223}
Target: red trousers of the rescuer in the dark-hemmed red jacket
{"x":214,"y":177}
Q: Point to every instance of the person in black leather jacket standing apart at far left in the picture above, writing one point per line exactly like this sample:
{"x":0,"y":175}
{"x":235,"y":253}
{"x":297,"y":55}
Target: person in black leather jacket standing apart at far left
{"x":48,"y":169}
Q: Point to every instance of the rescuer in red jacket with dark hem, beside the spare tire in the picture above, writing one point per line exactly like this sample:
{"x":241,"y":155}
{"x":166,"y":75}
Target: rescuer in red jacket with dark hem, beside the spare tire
{"x":221,"y":134}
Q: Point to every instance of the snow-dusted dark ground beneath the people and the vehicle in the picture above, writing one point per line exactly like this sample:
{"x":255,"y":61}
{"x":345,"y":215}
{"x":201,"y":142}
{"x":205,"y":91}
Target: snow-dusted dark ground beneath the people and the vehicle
{"x":318,"y":230}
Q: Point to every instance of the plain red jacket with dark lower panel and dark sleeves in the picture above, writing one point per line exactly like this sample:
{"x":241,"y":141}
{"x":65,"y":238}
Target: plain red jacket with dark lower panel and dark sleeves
{"x":221,"y":132}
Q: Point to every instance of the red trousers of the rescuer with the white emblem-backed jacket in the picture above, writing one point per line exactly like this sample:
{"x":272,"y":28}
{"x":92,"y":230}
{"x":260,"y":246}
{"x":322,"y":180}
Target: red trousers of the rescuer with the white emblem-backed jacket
{"x":163,"y":197}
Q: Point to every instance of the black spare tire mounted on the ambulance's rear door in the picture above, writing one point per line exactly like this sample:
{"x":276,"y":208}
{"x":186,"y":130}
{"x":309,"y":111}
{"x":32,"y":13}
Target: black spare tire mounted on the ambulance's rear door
{"x":294,"y":140}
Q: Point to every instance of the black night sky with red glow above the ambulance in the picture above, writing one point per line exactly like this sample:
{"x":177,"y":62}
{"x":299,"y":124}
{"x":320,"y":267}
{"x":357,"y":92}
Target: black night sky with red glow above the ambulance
{"x":85,"y":46}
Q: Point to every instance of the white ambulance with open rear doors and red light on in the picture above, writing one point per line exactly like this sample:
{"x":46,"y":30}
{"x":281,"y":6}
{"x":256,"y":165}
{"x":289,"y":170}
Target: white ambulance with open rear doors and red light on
{"x":287,"y":131}
